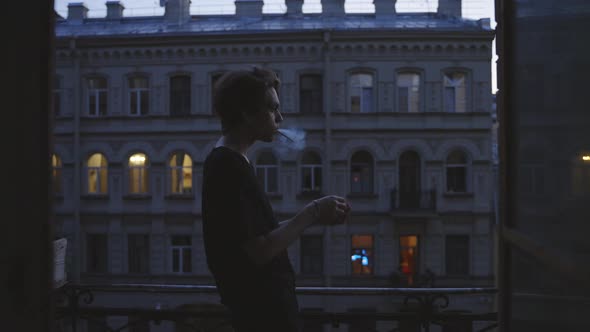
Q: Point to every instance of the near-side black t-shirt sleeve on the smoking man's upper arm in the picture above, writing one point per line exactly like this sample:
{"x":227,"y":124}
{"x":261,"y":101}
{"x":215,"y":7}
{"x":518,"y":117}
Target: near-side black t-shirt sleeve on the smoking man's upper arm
{"x":230,"y":210}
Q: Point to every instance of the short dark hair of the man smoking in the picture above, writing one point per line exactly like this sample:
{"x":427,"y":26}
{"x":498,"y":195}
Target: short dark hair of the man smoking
{"x":241,"y":91}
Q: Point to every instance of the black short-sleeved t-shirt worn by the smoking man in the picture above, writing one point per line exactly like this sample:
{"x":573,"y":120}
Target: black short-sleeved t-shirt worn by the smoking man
{"x":235,"y":208}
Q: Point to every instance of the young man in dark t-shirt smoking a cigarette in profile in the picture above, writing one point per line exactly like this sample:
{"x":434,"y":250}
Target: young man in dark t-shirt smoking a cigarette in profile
{"x":246,"y":247}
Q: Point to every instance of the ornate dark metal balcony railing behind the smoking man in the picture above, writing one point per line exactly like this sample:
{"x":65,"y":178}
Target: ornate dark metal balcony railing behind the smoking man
{"x":422,"y":307}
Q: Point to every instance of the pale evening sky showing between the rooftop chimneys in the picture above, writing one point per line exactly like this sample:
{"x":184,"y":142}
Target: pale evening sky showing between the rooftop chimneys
{"x":472,"y":9}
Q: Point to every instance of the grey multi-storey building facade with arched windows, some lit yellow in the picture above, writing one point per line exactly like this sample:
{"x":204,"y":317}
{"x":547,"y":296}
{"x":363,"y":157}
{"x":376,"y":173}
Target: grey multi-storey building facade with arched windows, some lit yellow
{"x":393,"y":111}
